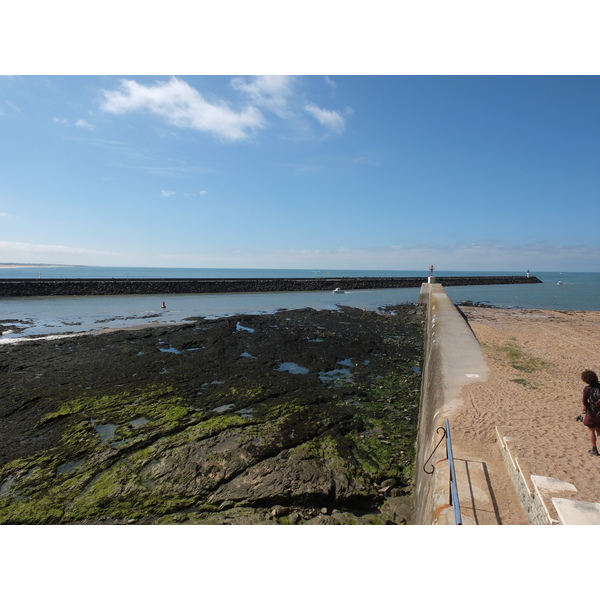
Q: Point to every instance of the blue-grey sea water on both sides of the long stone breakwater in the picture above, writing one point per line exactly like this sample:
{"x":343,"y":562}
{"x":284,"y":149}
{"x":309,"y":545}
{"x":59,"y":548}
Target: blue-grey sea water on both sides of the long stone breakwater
{"x":50,"y":316}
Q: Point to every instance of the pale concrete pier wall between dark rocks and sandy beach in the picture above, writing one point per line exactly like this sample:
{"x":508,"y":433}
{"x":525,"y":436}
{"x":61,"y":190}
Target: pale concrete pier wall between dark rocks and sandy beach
{"x":452,"y":359}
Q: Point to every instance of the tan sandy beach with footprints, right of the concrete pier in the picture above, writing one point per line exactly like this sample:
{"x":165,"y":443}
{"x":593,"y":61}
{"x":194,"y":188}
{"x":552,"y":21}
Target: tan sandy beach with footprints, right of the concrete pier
{"x":534,"y":393}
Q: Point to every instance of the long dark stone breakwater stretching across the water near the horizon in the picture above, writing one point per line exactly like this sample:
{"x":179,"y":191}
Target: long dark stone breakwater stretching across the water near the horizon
{"x":107,"y":287}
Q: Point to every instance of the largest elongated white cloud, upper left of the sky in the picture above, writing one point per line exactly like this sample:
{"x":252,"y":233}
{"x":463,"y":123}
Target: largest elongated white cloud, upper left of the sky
{"x":183,"y":106}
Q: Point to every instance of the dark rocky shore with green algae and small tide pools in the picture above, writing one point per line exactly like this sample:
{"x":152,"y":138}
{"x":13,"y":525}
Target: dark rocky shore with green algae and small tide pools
{"x":298,"y":417}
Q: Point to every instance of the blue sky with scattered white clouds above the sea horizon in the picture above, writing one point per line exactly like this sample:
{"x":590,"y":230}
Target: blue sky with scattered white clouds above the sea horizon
{"x":345,"y":172}
